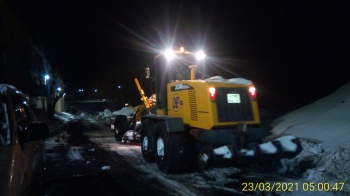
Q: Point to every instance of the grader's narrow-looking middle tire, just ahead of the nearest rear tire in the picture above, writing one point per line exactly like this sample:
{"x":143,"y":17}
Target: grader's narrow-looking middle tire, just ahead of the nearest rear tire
{"x":147,"y":140}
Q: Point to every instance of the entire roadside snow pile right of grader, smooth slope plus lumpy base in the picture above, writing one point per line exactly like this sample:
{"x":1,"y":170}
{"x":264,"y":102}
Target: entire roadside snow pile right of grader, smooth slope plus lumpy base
{"x":324,"y":129}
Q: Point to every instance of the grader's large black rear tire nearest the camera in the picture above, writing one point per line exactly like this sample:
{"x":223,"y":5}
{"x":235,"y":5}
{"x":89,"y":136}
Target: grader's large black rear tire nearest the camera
{"x":169,"y":150}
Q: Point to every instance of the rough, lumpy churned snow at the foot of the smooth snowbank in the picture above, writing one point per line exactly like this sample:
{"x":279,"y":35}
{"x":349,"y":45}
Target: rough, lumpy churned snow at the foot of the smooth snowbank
{"x":317,"y":163}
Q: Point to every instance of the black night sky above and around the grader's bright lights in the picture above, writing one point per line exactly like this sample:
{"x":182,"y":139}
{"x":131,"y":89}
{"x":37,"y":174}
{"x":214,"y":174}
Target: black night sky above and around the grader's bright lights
{"x":295,"y":52}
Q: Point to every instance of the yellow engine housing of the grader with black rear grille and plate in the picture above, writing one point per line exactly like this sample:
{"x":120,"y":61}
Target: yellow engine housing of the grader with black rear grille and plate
{"x":231,"y":104}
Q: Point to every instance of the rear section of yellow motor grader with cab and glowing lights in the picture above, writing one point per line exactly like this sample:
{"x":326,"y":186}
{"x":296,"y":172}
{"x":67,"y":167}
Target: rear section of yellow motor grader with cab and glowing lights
{"x":202,"y":120}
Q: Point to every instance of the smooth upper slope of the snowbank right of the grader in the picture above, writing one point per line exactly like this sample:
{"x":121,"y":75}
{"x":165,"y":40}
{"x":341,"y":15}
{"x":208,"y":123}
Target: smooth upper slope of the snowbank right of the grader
{"x":325,"y":121}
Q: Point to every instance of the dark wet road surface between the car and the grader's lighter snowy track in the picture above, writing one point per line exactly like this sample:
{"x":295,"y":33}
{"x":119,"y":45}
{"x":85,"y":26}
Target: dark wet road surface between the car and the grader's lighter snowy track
{"x":74,"y":165}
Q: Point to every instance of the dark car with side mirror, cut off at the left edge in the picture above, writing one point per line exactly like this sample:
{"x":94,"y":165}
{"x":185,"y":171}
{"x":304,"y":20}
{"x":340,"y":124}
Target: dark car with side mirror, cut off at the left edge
{"x":21,"y":145}
